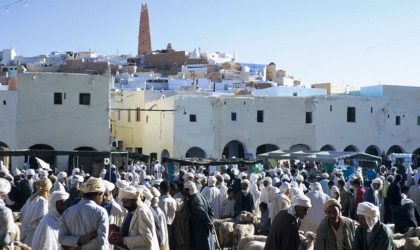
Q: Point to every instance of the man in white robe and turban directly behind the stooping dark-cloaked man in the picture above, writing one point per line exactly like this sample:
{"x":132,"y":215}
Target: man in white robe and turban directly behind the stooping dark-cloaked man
{"x":316,"y":212}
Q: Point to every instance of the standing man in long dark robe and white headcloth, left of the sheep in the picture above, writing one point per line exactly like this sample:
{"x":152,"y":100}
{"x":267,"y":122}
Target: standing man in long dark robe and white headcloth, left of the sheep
{"x":201,"y":219}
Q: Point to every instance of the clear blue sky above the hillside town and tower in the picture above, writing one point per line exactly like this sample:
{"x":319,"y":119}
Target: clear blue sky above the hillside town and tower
{"x":354,"y":42}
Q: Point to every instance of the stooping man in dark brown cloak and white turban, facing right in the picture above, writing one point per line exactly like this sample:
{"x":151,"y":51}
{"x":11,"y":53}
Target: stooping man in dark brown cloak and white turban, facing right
{"x":284,"y":231}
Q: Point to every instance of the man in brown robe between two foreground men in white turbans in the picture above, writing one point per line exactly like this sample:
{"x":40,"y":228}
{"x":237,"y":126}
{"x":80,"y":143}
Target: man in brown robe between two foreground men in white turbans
{"x":335,"y":232}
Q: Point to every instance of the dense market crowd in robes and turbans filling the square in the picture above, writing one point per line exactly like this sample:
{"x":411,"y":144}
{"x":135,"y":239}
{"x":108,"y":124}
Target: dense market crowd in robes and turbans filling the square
{"x":139,"y":208}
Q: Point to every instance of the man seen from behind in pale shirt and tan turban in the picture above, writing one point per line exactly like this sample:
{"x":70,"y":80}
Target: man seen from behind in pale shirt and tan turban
{"x":86,"y":224}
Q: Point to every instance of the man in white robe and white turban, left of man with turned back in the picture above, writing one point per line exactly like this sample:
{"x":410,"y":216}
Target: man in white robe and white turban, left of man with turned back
{"x":46,"y":234}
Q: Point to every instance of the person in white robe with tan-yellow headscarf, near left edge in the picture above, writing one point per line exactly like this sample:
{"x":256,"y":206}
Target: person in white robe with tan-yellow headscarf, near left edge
{"x":34,"y":210}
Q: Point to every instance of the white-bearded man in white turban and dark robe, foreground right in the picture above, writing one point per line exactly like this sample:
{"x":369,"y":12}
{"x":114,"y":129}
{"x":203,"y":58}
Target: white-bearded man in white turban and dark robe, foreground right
{"x":371,"y":234}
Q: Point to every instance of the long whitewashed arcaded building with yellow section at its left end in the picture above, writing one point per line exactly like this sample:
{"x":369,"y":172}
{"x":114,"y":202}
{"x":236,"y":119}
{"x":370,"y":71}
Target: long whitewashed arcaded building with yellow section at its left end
{"x":378,"y":119}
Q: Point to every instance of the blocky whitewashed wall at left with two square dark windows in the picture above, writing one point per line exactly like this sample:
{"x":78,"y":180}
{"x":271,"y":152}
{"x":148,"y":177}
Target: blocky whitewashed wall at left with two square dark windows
{"x":67,"y":126}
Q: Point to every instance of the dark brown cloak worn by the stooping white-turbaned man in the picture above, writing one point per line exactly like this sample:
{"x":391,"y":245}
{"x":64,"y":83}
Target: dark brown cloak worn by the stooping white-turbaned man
{"x":283,"y":234}
